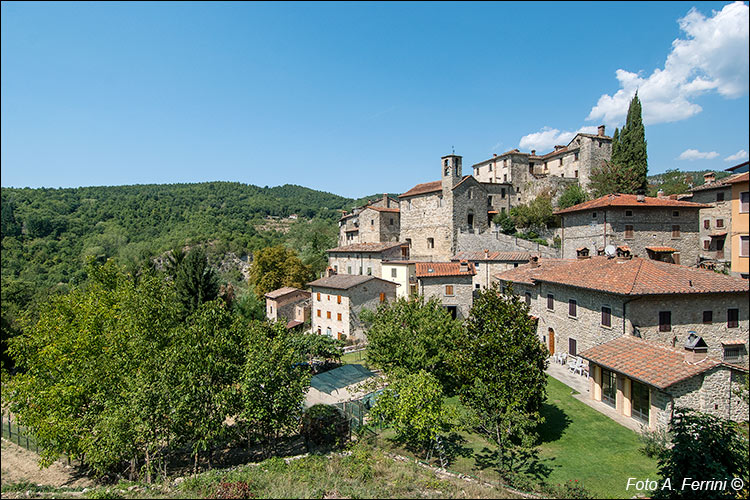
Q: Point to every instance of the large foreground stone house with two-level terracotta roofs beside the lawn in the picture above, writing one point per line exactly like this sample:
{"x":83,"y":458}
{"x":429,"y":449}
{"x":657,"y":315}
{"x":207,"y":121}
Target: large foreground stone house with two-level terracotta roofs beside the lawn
{"x":586,"y":306}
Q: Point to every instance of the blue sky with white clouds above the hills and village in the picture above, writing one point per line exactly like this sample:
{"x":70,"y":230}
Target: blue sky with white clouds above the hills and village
{"x":356,"y":98}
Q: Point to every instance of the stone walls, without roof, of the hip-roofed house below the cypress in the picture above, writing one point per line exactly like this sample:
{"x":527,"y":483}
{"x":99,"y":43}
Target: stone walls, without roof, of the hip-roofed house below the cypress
{"x":651,"y":227}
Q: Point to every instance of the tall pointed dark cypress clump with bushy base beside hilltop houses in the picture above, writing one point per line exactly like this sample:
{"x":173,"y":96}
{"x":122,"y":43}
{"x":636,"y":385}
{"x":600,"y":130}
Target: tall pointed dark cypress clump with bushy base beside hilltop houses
{"x":627,"y":170}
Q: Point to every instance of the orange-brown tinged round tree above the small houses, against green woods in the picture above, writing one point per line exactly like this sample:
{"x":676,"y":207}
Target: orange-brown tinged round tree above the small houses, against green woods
{"x":276,"y":267}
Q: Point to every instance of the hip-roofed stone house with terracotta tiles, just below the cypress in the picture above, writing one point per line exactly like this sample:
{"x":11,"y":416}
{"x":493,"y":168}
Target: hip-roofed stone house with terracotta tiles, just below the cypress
{"x":656,"y":228}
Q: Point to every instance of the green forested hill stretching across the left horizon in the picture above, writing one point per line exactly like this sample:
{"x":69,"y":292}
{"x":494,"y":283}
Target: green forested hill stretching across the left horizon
{"x":47,"y":233}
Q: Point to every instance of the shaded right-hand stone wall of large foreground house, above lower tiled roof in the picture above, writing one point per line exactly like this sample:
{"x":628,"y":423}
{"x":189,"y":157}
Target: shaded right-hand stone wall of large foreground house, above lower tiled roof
{"x":687,"y":315}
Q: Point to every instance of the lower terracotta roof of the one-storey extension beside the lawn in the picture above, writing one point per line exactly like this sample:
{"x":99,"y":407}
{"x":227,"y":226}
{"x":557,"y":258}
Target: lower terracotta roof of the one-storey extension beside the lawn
{"x":647,"y":362}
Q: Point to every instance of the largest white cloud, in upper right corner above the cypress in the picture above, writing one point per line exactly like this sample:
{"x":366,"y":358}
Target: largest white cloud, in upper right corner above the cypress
{"x":713,"y":57}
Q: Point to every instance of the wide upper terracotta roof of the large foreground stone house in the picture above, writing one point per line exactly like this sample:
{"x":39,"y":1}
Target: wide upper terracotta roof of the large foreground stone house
{"x":634,"y":276}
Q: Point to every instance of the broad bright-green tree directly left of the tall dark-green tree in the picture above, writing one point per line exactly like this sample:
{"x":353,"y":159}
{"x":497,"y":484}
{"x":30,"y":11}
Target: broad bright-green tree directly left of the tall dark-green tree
{"x":411,"y":335}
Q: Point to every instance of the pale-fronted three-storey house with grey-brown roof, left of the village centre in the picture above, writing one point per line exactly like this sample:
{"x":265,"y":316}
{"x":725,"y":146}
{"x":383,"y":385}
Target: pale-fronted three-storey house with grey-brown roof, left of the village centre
{"x":339,"y":299}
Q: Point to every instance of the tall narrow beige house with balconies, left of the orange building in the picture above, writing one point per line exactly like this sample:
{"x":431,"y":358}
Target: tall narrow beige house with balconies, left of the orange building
{"x":715,"y":220}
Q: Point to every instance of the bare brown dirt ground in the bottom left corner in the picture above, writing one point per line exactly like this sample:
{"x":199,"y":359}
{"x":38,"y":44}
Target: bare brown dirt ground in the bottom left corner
{"x":19,"y":464}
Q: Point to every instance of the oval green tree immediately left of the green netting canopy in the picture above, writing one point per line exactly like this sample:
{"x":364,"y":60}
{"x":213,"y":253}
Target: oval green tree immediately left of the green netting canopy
{"x":273,"y":382}
